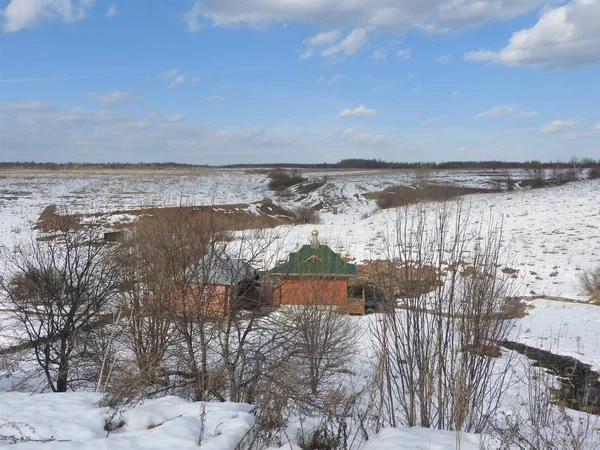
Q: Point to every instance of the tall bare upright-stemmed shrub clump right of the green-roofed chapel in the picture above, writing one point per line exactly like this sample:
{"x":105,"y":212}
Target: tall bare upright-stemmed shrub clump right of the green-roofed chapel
{"x":436,"y":346}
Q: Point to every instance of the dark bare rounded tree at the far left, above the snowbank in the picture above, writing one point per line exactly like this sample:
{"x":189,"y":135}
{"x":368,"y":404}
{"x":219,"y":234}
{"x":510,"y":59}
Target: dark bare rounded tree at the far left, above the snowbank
{"x":58,"y":289}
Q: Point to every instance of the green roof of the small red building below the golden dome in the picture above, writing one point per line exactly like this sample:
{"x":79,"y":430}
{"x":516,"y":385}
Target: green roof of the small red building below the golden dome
{"x":315,"y":261}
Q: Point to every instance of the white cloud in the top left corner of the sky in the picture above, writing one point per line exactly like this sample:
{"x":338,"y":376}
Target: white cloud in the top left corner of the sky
{"x":23,"y":14}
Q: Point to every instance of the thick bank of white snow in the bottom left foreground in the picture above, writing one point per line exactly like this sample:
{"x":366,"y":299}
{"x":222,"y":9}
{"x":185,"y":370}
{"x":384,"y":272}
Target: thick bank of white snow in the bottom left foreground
{"x":73,"y":420}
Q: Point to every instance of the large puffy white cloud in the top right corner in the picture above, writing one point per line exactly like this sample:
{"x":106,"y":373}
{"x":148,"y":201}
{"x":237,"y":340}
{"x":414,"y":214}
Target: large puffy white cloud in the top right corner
{"x":566,"y":36}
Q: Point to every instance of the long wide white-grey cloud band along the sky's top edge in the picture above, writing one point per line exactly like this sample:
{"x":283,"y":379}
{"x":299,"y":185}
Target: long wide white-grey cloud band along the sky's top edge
{"x":397,"y":15}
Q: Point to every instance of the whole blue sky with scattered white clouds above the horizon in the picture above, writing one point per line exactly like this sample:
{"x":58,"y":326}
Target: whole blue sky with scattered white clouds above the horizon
{"x":308,"y":81}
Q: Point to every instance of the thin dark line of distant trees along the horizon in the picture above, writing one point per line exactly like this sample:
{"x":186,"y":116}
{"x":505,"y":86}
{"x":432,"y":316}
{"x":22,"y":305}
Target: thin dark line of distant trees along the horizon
{"x":354,"y":163}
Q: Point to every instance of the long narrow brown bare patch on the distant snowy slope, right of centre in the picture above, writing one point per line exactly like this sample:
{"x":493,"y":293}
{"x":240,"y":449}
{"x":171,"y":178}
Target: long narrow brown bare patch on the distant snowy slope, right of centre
{"x":396,"y":196}
